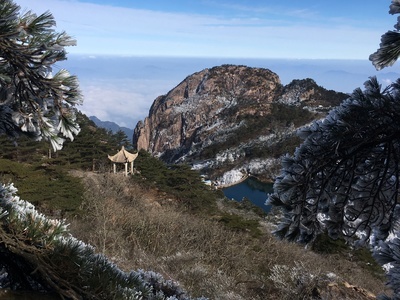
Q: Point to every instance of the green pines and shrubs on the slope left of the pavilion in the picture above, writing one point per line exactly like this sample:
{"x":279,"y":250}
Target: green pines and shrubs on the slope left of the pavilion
{"x":50,"y":186}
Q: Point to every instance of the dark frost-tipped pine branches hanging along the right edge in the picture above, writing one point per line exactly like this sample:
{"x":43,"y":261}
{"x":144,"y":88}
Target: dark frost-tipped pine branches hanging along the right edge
{"x":344,"y":178}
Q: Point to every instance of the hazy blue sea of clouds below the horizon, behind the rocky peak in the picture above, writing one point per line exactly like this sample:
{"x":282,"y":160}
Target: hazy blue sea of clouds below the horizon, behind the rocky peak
{"x":122,"y":89}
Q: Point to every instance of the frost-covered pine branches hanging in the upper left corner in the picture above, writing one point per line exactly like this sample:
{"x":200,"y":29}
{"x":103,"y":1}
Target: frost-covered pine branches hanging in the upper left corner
{"x":33,"y":101}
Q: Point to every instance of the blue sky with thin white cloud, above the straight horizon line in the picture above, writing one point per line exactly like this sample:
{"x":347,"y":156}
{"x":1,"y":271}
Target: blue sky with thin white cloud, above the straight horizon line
{"x":311,"y":29}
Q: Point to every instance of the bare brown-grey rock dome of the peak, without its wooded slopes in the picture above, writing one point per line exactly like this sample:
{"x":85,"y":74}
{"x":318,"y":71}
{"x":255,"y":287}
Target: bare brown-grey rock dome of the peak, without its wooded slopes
{"x":203,"y":106}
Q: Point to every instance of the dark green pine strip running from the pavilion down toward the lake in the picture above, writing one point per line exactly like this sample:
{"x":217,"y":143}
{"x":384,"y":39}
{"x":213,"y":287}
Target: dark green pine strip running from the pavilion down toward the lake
{"x":178,"y":180}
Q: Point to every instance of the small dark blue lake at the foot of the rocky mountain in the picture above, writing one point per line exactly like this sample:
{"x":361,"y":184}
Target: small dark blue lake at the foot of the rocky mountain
{"x":253,"y":189}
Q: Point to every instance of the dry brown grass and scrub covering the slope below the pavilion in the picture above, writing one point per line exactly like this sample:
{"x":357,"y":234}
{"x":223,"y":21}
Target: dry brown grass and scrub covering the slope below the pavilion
{"x":138,"y":229}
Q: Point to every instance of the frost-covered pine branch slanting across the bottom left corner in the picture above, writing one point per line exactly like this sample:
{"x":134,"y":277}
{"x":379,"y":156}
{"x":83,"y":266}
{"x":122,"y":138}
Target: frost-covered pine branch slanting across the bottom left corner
{"x":51,"y":259}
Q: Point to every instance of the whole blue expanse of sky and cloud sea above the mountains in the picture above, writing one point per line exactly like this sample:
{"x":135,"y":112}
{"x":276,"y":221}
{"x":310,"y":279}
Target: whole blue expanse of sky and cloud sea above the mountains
{"x":300,"y":32}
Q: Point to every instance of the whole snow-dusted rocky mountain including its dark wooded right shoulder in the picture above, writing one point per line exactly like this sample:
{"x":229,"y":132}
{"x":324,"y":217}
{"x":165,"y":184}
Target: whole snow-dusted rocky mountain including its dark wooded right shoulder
{"x":226,"y":115}
